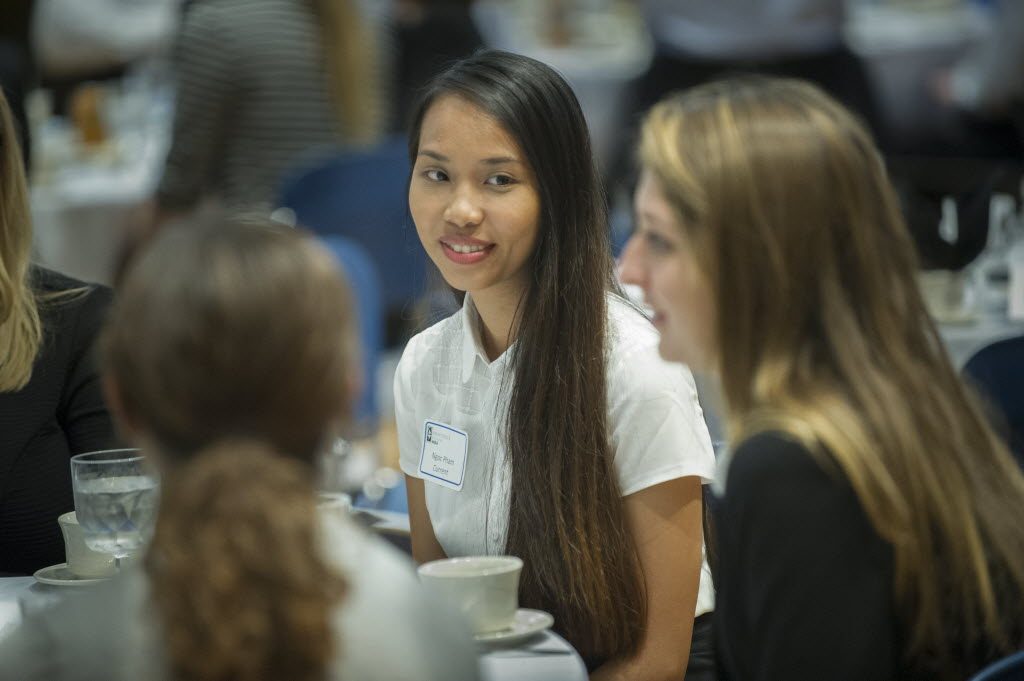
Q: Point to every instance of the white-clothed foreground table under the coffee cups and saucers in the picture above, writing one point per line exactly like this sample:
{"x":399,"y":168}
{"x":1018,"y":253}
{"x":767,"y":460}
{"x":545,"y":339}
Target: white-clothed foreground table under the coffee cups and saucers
{"x":547,"y":657}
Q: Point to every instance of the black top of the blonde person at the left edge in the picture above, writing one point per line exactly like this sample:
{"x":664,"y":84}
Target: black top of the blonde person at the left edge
{"x":60,"y":413}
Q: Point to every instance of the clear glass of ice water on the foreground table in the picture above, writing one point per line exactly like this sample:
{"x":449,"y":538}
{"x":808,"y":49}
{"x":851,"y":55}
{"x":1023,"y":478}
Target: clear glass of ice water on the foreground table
{"x":116,"y":498}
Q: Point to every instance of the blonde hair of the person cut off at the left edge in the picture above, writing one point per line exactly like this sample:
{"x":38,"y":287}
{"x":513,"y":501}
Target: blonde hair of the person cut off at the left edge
{"x":21,"y":330}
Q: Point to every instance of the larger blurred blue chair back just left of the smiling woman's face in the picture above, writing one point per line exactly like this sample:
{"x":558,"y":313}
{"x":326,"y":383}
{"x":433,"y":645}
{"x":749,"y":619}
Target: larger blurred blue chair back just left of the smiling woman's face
{"x":364,"y":196}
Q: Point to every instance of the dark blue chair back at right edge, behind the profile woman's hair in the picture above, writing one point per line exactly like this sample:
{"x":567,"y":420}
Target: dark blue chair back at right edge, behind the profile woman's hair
{"x":998,"y":373}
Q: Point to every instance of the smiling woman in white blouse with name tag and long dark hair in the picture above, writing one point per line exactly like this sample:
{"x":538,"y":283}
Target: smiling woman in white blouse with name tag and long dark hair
{"x":573,"y":446}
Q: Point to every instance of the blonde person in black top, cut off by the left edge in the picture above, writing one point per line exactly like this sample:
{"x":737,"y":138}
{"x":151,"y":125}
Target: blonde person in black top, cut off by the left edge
{"x":52,"y":405}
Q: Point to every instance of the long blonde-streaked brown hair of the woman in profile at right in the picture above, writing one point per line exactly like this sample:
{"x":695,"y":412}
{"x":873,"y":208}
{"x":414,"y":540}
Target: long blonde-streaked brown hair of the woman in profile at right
{"x":823,"y":334}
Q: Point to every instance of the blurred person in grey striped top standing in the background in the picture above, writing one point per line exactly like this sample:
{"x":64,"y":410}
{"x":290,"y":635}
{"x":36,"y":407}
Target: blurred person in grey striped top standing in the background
{"x":261,"y":86}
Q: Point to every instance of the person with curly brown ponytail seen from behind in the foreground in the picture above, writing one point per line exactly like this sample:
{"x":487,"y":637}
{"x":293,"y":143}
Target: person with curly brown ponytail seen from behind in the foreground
{"x":245,"y":579}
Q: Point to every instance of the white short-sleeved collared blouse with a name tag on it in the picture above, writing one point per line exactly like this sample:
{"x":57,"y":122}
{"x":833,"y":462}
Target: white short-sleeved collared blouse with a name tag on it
{"x":658,"y":432}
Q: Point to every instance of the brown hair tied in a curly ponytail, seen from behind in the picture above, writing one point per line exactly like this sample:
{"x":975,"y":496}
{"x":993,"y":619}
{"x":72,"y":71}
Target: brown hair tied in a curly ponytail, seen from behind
{"x":230,"y":346}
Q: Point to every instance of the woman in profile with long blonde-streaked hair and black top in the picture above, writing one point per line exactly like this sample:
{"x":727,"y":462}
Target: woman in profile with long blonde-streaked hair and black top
{"x":869,"y":527}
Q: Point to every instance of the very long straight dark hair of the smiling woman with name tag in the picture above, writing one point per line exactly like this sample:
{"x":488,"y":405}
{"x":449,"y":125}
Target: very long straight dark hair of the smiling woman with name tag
{"x":567,"y":520}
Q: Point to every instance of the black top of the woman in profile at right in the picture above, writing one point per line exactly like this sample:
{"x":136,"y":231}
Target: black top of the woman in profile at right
{"x":805,"y":583}
